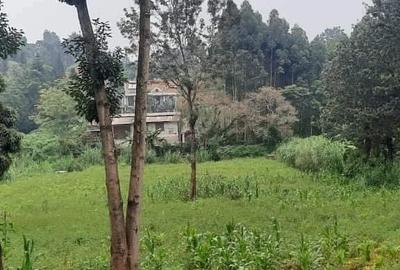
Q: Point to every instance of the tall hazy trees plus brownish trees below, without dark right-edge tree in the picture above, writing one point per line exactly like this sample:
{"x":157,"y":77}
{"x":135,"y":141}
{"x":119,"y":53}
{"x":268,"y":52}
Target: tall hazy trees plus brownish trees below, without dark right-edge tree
{"x":246,"y":53}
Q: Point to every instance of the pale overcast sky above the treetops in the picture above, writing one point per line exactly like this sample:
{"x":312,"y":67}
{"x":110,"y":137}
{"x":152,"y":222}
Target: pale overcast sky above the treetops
{"x":34,"y":16}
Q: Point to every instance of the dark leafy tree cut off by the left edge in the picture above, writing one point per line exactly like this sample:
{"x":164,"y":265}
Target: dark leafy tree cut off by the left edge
{"x":10,"y":40}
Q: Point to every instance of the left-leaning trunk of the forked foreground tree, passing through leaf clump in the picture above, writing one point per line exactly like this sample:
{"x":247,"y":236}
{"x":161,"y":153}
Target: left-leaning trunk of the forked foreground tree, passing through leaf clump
{"x":115,"y":204}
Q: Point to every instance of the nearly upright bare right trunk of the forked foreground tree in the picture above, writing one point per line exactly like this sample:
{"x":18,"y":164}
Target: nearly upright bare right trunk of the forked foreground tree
{"x":139,"y":139}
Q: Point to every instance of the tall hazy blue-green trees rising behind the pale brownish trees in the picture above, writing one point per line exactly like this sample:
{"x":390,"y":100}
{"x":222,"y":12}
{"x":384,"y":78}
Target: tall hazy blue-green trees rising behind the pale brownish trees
{"x":251,"y":52}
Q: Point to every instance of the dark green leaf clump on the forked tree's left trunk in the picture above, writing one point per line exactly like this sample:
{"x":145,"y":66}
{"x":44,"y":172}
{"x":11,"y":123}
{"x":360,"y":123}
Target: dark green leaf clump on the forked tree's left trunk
{"x":107,"y":72}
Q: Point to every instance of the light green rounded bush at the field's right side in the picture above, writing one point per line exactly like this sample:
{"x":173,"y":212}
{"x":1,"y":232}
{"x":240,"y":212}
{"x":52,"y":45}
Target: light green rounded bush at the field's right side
{"x":313,"y":154}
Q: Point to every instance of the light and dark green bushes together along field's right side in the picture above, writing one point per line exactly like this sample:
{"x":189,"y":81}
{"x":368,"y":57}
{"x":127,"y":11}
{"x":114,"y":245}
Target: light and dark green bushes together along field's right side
{"x":316,"y":154}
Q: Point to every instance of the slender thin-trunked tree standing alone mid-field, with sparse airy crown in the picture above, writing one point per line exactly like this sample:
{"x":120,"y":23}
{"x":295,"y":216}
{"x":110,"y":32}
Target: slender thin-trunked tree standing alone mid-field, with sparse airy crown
{"x":180,"y":55}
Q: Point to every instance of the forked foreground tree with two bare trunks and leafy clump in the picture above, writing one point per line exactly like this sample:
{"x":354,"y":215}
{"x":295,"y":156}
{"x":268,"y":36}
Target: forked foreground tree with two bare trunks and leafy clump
{"x":95,"y":90}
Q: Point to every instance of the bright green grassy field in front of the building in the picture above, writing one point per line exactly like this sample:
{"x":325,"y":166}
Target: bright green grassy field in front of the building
{"x":66,"y":214}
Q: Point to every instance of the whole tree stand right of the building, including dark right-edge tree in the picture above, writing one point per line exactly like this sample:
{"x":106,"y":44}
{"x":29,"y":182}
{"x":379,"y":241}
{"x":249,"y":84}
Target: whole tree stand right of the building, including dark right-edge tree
{"x":345,"y":87}
